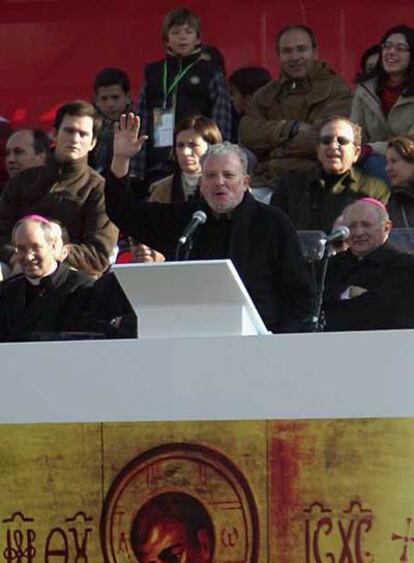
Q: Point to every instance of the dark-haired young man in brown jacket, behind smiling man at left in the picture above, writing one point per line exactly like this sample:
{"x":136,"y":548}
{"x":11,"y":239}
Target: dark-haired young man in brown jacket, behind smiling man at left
{"x":66,"y":189}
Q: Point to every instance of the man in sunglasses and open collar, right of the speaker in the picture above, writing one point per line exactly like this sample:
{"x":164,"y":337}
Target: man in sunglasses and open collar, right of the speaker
{"x":313,"y":200}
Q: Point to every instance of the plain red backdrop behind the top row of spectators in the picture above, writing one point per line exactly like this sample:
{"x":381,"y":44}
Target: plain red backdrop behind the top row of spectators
{"x":51,"y":49}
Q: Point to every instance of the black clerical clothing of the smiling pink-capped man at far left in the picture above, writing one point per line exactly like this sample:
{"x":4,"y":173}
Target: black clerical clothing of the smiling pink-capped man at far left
{"x":33,"y":313}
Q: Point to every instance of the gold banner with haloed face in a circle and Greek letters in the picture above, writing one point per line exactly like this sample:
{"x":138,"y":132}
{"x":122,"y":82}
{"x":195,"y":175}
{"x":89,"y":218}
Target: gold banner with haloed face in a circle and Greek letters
{"x":279,"y":491}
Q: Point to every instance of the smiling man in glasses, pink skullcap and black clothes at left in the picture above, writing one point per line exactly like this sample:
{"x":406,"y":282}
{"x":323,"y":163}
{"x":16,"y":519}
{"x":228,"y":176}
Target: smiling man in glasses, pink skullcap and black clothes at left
{"x":48,"y":296}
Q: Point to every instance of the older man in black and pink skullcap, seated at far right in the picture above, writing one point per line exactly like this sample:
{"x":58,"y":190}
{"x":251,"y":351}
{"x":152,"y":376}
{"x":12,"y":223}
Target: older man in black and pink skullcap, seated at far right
{"x":370,"y":285}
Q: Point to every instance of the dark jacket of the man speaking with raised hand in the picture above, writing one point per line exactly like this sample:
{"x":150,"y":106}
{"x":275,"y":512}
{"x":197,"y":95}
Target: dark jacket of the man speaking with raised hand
{"x":260,"y":241}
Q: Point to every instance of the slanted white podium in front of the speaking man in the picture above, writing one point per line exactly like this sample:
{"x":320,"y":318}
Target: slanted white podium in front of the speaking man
{"x":200,"y":298}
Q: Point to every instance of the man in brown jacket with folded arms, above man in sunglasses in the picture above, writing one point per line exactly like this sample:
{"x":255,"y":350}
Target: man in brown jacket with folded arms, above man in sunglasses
{"x":280,"y":123}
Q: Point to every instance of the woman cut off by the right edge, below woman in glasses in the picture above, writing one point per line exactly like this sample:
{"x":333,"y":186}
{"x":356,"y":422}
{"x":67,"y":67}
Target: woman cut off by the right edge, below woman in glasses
{"x":400,"y":169}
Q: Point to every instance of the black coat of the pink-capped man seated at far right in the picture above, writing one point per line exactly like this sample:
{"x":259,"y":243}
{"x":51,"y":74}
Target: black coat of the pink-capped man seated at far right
{"x":387,"y":274}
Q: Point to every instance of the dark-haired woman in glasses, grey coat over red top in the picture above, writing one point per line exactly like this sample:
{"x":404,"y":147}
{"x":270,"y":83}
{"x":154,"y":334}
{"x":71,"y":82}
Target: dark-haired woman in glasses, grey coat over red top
{"x":384,"y":104}
